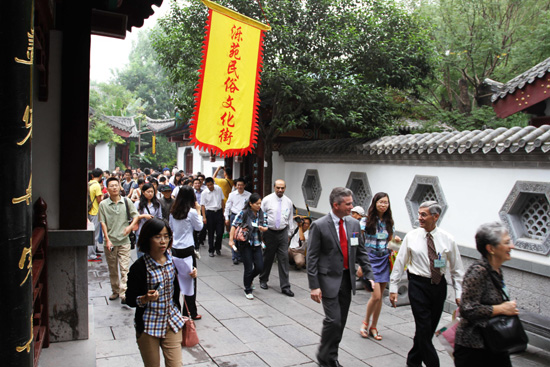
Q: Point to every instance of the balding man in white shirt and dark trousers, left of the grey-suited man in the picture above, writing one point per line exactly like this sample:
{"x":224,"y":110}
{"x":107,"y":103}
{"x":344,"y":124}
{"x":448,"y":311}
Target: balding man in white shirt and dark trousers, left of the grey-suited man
{"x":278,"y":208}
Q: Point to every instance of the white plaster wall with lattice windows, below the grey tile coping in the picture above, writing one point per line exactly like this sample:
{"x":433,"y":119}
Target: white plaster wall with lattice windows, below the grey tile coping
{"x":474,"y":195}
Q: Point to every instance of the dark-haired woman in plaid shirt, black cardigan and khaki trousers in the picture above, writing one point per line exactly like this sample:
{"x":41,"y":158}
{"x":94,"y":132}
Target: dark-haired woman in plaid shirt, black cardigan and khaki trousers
{"x":154,"y":291}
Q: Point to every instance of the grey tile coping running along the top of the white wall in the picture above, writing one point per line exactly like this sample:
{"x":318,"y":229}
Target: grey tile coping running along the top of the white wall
{"x":498,"y":140}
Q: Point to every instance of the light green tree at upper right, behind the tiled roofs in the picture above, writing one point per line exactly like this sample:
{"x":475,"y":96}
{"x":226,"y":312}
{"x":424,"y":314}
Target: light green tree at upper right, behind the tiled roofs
{"x":479,"y":39}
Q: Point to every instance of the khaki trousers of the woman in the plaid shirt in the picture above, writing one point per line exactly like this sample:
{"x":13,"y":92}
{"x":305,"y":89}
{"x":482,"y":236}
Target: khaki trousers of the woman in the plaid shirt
{"x":170,"y":345}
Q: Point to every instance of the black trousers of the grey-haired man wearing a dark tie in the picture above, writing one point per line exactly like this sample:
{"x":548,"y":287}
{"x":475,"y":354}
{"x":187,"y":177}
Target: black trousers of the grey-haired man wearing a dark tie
{"x":427,"y":305}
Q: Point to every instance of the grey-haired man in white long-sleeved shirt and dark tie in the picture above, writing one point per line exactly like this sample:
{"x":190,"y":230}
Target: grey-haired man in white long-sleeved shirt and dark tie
{"x":427,"y":251}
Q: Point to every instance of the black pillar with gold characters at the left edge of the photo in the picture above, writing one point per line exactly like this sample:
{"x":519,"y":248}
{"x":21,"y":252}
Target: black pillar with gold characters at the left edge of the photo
{"x":16,"y":64}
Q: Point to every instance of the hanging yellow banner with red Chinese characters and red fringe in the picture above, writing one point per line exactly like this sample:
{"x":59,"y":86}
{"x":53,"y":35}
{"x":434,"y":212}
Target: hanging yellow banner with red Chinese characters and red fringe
{"x":227,"y":96}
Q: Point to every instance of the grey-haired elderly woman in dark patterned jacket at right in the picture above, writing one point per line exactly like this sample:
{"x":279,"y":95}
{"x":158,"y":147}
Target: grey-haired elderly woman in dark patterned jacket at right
{"x":482,"y":298}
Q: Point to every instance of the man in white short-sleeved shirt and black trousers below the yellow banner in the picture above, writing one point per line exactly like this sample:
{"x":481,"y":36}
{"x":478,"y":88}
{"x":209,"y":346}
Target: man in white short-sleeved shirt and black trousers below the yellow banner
{"x":212,"y":206}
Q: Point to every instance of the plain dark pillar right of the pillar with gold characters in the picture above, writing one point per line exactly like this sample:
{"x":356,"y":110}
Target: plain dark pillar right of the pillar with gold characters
{"x":75,"y":85}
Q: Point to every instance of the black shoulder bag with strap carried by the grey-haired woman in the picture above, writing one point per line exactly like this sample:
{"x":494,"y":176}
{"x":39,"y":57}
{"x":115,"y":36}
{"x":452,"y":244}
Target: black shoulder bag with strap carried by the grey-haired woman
{"x":504,"y":333}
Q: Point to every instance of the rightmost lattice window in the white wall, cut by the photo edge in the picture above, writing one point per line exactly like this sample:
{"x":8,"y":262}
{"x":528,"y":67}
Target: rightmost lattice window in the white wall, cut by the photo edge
{"x":526,"y":213}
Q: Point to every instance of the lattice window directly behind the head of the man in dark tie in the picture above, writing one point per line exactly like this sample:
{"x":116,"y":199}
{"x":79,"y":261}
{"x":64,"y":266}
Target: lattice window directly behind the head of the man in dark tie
{"x":424,"y":188}
